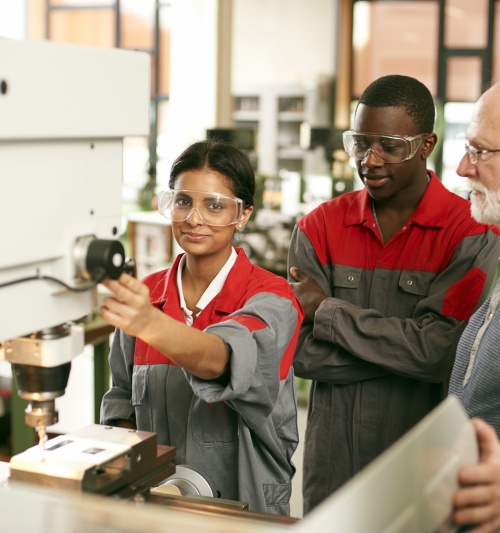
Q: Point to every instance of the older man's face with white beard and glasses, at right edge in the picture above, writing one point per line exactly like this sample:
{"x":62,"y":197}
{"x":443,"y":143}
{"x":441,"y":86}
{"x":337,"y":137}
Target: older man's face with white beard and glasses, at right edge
{"x":483,"y":133}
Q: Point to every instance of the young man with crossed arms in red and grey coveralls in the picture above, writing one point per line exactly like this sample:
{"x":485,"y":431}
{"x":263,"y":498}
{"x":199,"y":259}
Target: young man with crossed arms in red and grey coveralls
{"x":388,"y":277}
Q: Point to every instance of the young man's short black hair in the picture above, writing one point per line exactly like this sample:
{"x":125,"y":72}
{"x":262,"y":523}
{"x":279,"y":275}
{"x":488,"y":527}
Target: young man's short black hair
{"x":396,"y":90}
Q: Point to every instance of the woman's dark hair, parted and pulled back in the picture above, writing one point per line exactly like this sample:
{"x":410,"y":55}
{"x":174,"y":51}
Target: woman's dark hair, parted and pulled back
{"x":220,"y":157}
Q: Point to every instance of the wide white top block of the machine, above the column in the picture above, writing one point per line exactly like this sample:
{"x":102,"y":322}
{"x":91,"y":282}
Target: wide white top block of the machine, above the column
{"x":50,"y":90}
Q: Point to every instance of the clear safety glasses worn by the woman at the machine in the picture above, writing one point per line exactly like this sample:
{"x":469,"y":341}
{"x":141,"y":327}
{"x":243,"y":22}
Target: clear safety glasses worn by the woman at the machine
{"x":212,"y":208}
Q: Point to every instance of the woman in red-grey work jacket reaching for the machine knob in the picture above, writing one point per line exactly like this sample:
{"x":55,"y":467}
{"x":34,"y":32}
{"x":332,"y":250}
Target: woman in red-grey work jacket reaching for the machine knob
{"x":203,"y":350}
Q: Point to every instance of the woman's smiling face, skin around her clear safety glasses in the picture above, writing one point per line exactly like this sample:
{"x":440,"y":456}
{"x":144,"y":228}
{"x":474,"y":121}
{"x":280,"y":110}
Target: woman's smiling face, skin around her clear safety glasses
{"x":194,"y":235}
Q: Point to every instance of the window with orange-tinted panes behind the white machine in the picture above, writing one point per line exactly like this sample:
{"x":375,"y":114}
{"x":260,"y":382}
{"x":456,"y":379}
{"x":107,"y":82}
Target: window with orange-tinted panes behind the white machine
{"x":130,"y":24}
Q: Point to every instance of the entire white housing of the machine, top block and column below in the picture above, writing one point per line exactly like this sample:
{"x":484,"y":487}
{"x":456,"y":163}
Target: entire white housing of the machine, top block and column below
{"x":65,"y":110}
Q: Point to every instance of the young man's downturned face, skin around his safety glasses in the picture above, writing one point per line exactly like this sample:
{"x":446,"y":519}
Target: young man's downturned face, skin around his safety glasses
{"x":388,"y":181}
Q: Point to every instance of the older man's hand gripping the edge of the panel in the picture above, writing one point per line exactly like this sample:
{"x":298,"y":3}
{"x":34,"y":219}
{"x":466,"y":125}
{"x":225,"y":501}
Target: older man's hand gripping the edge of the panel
{"x":477,"y":502}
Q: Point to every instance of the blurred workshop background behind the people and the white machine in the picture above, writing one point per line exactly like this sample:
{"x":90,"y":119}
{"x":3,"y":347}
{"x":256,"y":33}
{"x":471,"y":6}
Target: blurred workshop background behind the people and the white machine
{"x":279,"y":79}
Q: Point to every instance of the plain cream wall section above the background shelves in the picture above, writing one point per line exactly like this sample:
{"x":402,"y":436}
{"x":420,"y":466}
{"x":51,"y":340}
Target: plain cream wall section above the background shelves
{"x":282,"y":42}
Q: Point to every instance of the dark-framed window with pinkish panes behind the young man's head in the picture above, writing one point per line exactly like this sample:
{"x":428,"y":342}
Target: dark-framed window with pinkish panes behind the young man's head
{"x":446,"y":44}
